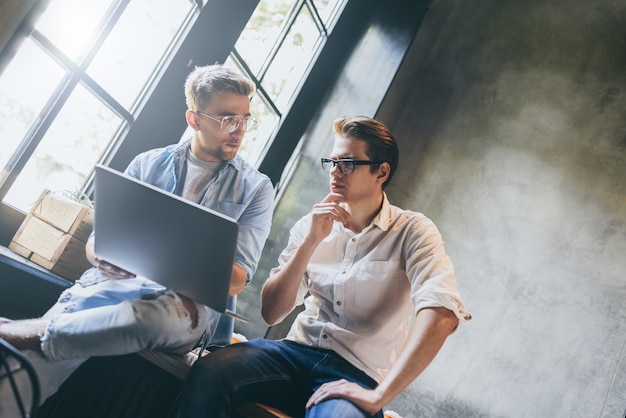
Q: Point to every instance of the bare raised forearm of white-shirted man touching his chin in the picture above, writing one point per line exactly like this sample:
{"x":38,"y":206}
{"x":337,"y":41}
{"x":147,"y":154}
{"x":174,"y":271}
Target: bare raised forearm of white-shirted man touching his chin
{"x":280,"y":291}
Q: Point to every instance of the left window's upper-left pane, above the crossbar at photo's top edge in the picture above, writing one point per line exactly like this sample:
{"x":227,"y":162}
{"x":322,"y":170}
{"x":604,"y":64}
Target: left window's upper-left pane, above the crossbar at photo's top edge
{"x":71,"y":24}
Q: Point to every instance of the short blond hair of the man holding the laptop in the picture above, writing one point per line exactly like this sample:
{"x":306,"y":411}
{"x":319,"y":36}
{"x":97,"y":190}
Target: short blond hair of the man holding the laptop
{"x":204,"y":81}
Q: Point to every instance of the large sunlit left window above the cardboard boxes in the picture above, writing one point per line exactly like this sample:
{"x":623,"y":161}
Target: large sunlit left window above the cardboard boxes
{"x":62,"y":99}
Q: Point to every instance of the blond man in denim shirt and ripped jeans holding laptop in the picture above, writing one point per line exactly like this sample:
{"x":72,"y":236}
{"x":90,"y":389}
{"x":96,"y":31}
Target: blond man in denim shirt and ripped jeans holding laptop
{"x":110,"y":311}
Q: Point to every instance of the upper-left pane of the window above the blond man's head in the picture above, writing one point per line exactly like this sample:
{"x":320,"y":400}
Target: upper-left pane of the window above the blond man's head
{"x":262,"y":31}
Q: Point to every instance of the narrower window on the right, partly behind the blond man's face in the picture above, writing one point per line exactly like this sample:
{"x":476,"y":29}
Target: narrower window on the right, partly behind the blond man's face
{"x":275,"y":49}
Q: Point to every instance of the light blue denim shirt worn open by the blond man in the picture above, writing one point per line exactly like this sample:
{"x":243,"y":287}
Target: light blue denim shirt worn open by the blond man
{"x":238,"y":191}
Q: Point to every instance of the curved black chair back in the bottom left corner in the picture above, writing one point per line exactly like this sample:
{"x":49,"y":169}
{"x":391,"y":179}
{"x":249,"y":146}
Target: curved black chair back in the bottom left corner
{"x":12,"y":365}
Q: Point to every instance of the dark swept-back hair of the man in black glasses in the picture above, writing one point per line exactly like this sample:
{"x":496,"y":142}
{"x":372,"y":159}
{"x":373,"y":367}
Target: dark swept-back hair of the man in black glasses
{"x":381,"y":145}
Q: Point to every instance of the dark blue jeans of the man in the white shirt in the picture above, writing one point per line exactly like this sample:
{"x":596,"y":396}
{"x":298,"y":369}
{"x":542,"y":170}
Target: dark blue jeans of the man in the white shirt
{"x":281,"y":374}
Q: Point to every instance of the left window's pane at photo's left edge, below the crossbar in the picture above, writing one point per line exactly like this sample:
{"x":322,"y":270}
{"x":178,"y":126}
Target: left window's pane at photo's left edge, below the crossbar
{"x":25,"y":86}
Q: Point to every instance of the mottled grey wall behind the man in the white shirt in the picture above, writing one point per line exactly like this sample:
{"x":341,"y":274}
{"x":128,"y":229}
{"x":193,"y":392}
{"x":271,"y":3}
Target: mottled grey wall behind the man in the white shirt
{"x":510,"y":117}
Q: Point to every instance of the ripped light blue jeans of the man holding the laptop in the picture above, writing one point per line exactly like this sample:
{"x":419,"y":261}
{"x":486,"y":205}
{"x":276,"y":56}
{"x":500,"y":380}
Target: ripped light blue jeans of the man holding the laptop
{"x":103,"y":317}
